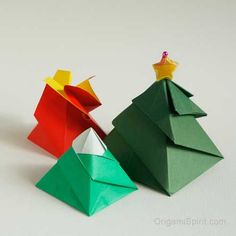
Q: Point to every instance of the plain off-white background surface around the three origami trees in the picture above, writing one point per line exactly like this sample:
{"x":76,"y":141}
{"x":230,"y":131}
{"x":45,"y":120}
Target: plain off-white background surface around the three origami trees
{"x":118,"y":41}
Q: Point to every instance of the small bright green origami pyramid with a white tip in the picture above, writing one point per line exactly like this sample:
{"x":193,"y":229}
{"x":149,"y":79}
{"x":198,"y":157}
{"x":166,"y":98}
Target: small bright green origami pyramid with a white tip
{"x":87,"y":176}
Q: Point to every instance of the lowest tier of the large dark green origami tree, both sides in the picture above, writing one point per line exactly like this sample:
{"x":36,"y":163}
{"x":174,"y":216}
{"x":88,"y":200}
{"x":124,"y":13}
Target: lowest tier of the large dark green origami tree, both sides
{"x":185,"y":165}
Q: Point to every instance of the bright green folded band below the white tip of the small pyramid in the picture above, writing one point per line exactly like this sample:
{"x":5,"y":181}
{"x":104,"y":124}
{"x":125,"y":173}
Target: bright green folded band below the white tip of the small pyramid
{"x":105,"y":170}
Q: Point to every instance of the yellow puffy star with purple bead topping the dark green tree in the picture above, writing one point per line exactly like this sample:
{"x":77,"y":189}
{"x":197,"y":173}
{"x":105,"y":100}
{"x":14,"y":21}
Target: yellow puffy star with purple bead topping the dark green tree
{"x":165,"y":67}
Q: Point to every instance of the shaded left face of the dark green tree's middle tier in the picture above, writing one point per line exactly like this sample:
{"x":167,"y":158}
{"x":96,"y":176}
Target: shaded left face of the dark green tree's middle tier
{"x":146,"y":139}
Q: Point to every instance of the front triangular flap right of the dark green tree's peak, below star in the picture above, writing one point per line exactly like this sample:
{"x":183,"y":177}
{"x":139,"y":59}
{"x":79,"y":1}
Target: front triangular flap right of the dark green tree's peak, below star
{"x":182,"y":104}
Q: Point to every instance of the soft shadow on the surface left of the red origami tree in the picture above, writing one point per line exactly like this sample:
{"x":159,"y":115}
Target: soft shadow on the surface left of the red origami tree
{"x":14,"y":131}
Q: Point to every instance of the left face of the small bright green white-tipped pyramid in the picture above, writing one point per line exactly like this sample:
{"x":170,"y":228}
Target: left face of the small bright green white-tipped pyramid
{"x":67,"y":180}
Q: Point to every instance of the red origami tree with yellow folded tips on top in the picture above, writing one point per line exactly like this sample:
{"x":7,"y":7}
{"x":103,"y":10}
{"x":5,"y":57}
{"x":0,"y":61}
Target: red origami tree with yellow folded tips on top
{"x":63,"y":113}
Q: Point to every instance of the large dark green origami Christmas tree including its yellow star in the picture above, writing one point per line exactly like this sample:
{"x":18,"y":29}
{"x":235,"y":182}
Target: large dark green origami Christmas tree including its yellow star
{"x":158,"y":140}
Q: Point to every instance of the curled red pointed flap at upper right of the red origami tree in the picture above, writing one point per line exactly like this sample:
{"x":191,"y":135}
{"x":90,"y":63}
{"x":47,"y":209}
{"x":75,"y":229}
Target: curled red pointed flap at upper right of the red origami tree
{"x":81,"y":98}
